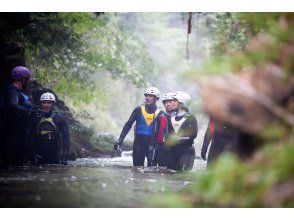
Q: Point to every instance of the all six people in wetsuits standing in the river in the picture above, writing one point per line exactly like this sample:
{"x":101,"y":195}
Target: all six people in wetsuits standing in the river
{"x":34,"y":133}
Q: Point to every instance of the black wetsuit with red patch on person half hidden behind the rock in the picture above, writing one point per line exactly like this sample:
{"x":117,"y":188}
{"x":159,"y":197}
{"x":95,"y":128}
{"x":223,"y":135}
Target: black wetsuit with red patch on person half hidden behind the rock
{"x":222,"y":138}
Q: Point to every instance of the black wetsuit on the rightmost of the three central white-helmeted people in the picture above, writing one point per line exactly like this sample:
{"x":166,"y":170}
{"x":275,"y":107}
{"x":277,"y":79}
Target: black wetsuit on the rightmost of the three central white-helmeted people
{"x":179,"y":146}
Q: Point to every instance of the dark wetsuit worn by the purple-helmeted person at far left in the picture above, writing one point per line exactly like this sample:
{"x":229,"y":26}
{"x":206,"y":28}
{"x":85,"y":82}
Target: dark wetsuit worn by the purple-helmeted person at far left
{"x":17,"y":106}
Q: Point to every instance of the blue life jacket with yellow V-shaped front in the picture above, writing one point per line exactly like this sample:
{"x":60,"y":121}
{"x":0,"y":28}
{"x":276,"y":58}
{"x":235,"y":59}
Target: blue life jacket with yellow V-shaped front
{"x":145,"y":125}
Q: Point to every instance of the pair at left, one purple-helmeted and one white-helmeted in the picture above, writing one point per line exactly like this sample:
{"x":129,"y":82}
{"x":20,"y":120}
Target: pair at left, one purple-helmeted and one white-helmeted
{"x":33,"y":132}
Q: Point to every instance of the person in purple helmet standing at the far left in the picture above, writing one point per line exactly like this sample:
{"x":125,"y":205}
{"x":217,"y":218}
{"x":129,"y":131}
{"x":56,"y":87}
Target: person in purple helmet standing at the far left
{"x":18,"y":108}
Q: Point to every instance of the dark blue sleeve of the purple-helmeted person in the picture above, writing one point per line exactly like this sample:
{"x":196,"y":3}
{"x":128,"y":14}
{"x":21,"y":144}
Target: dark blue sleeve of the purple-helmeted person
{"x":13,"y":104}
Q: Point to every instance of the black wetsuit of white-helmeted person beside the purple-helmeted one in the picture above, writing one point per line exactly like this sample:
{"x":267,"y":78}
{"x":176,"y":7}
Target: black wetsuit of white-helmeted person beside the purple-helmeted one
{"x":49,"y":151}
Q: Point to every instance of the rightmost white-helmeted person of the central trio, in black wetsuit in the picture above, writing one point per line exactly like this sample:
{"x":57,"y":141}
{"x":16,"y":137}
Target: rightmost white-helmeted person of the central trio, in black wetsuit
{"x":182,"y":131}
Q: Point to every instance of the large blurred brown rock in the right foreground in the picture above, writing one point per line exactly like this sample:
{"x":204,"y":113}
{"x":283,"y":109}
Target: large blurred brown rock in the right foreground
{"x":248,"y":102}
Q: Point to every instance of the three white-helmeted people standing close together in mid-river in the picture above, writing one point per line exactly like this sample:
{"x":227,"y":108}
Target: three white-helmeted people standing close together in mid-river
{"x":164,"y":138}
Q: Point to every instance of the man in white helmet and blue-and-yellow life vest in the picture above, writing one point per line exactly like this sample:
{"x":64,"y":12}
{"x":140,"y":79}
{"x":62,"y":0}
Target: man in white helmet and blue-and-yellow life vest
{"x":149,"y":129}
